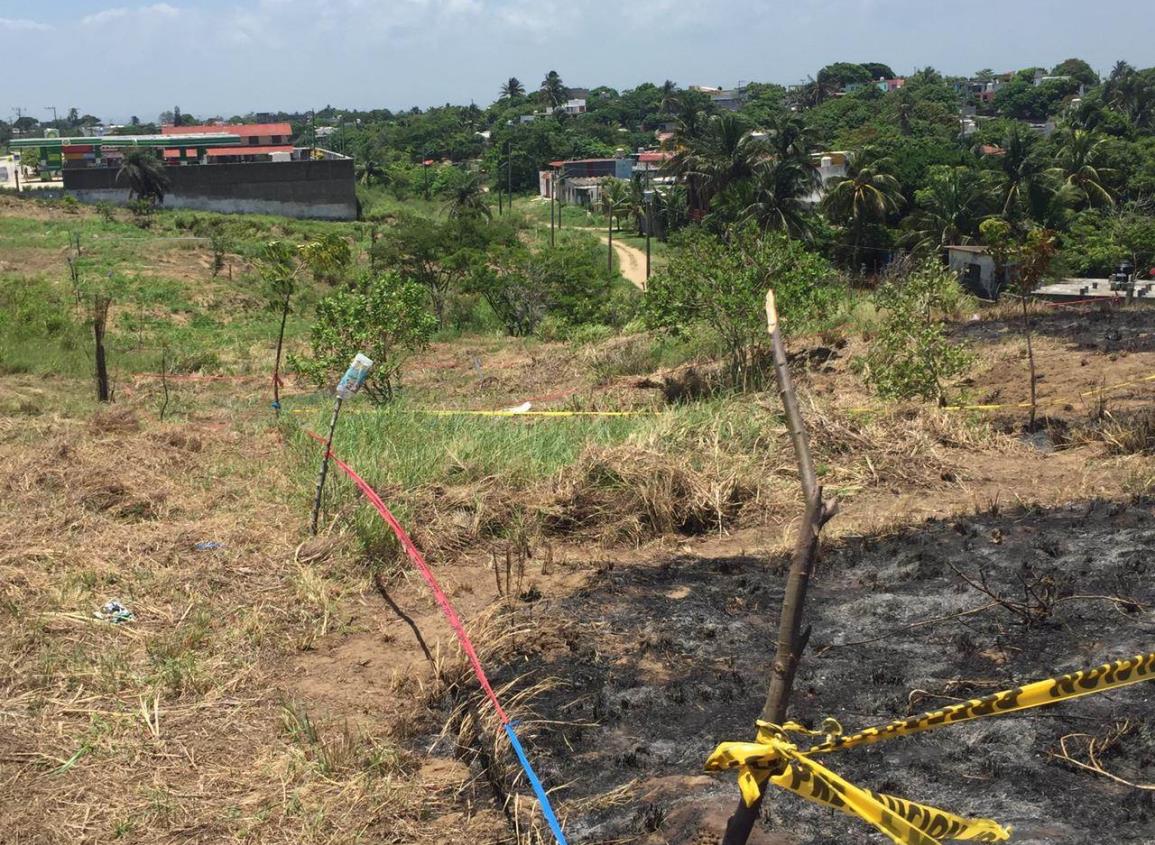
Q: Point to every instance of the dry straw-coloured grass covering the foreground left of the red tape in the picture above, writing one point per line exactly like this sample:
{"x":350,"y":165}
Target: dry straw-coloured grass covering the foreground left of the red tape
{"x":172,"y":728}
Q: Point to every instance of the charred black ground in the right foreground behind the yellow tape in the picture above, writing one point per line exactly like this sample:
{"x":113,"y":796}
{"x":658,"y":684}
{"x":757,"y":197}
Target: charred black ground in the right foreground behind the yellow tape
{"x":659,"y":664}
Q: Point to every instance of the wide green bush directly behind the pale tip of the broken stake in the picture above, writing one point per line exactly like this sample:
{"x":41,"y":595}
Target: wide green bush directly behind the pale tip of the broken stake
{"x":724,"y":285}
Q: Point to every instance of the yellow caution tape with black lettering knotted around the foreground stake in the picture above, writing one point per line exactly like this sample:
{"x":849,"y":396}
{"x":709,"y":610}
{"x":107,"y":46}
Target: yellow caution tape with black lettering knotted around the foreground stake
{"x":772,"y":758}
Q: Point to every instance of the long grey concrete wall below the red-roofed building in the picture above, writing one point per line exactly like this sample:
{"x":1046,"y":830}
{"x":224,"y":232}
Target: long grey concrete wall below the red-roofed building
{"x":303,"y":190}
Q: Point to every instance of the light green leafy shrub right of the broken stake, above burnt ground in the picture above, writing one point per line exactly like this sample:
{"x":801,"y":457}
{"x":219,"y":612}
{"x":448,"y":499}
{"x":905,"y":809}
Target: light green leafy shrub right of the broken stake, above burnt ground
{"x":912,"y":356}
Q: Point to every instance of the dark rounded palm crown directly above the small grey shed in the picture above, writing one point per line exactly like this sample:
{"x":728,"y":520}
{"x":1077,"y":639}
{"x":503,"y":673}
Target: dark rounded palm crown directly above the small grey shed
{"x":951,"y":207}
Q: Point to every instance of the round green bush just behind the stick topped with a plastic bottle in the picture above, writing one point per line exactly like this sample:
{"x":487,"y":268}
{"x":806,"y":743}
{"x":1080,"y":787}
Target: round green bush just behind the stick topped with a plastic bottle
{"x":384,"y":318}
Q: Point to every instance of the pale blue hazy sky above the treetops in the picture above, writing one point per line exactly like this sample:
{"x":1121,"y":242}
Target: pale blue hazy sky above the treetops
{"x":118,"y":58}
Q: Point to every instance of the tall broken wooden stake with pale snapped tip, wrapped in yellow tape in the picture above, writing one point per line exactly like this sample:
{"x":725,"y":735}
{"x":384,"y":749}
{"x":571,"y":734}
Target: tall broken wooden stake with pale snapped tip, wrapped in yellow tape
{"x":792,"y":637}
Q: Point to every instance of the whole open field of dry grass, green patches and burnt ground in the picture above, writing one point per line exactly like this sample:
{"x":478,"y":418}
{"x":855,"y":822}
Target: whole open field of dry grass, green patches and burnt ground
{"x":620,"y":574}
